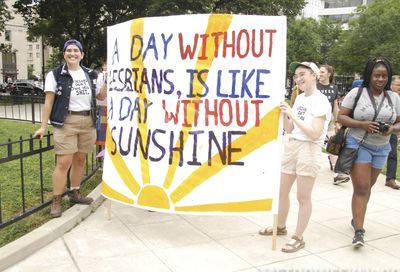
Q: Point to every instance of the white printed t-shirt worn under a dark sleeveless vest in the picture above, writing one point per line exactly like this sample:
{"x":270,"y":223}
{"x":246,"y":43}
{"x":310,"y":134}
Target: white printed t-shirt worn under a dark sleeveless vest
{"x":81,"y":94}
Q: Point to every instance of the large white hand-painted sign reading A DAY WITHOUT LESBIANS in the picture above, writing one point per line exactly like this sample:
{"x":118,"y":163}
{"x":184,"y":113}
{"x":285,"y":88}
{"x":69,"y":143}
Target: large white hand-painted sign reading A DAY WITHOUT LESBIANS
{"x":193,"y":113}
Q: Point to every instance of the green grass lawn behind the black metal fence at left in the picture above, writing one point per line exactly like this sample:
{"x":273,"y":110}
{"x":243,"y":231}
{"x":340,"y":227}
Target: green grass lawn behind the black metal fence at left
{"x":10,"y":180}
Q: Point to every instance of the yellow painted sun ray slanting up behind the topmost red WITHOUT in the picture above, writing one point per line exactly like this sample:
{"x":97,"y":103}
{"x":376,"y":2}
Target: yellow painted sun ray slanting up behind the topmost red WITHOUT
{"x":216,"y":23}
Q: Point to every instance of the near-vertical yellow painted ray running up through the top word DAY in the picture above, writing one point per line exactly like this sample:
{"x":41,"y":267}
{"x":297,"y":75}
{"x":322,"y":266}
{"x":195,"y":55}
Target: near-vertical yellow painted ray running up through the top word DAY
{"x":137,"y":28}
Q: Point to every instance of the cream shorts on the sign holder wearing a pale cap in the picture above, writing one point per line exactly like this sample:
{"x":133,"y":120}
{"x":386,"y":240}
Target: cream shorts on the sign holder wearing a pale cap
{"x":301,"y":158}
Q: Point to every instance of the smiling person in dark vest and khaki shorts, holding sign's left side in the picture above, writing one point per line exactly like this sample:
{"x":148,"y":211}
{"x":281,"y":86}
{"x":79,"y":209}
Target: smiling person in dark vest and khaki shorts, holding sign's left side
{"x":70,"y":105}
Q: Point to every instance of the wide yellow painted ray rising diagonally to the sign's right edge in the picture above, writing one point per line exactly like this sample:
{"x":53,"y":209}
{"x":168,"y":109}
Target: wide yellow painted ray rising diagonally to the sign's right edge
{"x":253,"y":139}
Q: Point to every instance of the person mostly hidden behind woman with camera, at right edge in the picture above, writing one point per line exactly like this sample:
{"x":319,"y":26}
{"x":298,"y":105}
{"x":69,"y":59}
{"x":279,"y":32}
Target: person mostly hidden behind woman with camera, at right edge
{"x":391,"y":166}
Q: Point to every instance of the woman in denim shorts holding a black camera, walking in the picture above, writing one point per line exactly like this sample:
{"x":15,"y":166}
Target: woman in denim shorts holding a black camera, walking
{"x":370,"y":138}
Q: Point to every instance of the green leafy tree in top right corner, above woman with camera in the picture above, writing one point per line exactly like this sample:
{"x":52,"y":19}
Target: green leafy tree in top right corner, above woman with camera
{"x":373,"y":32}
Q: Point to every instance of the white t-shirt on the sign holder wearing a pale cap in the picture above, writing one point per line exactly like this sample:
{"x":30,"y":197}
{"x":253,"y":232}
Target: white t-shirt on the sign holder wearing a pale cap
{"x":307,"y":108}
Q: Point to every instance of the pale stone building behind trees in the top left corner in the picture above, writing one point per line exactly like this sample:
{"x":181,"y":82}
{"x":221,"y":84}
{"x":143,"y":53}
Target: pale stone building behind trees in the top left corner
{"x":20,"y":55}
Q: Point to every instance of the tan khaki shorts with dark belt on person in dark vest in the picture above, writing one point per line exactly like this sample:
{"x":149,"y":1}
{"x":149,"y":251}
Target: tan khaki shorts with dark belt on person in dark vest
{"x":77,"y":135}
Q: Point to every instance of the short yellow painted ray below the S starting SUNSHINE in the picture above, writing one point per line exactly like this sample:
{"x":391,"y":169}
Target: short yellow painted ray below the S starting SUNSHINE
{"x":120,"y":165}
